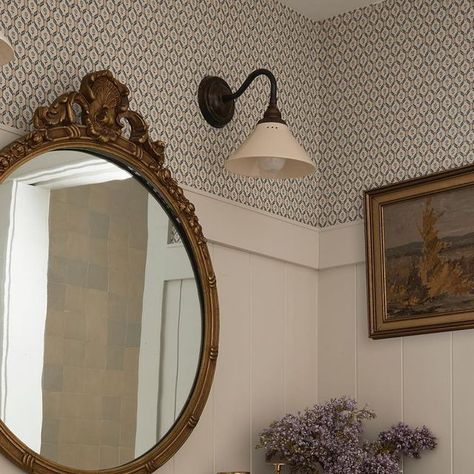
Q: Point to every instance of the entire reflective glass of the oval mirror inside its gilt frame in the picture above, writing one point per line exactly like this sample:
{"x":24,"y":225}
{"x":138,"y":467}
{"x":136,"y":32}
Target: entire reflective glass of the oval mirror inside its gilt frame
{"x":100,"y":315}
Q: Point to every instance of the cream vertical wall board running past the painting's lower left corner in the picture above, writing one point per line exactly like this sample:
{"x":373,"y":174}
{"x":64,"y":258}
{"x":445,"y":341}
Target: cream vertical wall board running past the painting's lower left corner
{"x":379,"y":371}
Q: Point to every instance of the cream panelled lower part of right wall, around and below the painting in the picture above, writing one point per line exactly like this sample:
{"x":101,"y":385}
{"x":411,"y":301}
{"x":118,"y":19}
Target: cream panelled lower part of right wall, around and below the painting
{"x":425,"y":379}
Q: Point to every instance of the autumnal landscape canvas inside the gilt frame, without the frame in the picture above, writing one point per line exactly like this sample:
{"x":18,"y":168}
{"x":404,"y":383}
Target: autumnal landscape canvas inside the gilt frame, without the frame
{"x":429,"y":254}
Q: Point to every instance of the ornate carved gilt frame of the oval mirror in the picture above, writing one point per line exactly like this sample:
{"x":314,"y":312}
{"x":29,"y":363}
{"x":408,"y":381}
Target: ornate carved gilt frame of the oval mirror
{"x":98,"y":128}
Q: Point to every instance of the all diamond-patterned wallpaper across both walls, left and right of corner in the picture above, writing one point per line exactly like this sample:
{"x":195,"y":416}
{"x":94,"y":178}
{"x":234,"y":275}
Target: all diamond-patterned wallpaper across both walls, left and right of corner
{"x":376,"y":95}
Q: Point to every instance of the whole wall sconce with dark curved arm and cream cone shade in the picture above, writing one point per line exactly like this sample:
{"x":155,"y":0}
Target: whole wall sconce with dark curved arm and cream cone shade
{"x":270,"y":151}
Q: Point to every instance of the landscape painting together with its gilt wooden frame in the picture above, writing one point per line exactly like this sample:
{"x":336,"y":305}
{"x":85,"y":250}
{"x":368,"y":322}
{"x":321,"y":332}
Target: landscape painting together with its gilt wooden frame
{"x":420,"y":255}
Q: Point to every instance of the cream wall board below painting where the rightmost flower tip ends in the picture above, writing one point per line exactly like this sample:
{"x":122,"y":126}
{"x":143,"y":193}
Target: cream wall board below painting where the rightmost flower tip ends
{"x":427,"y":397}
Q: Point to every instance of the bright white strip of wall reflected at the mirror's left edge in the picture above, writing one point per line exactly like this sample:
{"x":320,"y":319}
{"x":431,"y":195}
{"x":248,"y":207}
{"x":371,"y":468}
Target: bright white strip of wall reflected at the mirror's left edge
{"x":24,"y":310}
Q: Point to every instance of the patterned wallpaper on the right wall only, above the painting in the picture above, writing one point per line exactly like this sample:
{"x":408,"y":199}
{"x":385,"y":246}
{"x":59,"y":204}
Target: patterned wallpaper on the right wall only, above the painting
{"x":397,"y":98}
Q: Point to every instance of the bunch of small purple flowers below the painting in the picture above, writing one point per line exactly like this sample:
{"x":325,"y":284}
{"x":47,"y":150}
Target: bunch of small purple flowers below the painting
{"x":327,"y":438}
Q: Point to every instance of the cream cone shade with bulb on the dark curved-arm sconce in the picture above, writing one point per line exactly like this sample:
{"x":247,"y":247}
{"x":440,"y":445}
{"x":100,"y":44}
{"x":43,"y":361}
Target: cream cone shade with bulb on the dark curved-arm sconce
{"x":270,"y":151}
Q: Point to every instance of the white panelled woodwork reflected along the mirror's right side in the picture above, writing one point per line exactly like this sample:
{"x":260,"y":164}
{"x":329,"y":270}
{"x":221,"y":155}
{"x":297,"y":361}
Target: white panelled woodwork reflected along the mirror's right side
{"x":171,"y":326}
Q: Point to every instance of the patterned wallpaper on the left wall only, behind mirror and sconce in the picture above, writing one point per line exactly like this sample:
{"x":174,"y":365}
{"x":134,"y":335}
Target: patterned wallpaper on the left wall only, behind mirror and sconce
{"x":162,"y":49}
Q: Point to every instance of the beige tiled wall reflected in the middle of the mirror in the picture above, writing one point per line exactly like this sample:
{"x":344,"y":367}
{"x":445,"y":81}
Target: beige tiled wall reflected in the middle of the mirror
{"x":98,"y":236}
